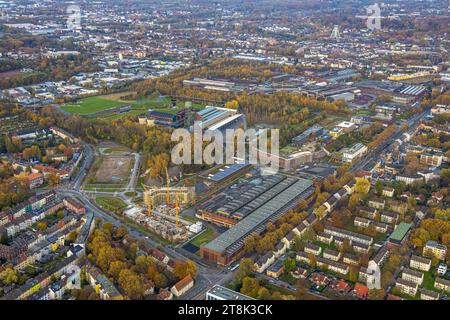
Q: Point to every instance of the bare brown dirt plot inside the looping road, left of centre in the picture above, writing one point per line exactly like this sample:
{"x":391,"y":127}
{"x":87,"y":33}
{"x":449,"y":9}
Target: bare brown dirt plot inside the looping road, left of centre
{"x":114,"y":169}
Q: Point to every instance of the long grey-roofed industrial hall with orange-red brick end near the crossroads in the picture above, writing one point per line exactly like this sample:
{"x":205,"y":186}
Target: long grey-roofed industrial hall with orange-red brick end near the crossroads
{"x":282,"y":195}
